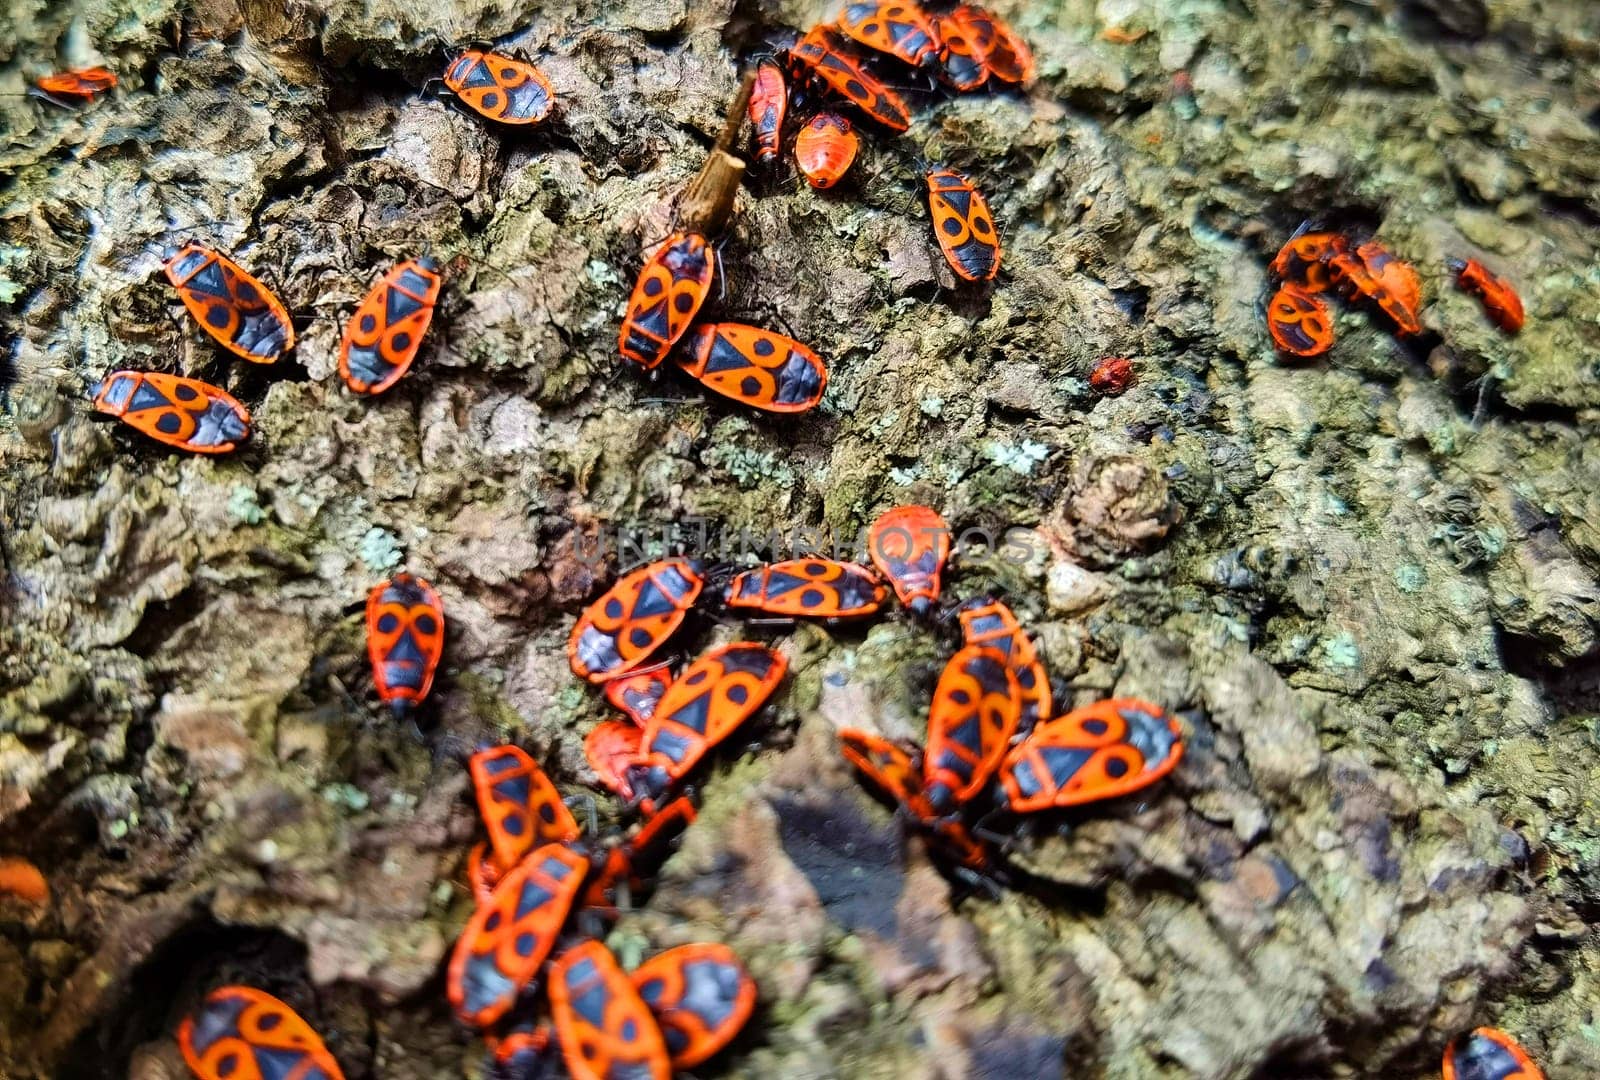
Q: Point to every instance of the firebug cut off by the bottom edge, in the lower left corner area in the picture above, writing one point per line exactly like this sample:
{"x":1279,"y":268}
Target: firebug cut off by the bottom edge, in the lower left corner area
{"x":241,"y":1033}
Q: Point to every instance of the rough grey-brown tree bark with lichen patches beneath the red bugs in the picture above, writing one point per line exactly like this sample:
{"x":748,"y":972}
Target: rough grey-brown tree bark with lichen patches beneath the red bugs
{"x":1369,"y":585}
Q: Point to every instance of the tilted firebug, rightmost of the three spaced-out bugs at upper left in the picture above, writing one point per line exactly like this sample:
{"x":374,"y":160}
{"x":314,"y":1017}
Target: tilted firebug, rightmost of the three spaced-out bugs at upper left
{"x":386,"y":332}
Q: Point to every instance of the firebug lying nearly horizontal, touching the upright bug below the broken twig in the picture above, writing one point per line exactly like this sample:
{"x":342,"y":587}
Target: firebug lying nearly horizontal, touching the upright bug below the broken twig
{"x":758,"y":367}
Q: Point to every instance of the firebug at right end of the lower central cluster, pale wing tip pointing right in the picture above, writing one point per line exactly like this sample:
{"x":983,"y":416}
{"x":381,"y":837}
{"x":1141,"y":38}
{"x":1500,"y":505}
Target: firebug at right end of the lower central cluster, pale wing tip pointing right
{"x":1102,"y":751}
